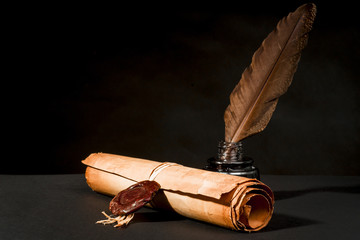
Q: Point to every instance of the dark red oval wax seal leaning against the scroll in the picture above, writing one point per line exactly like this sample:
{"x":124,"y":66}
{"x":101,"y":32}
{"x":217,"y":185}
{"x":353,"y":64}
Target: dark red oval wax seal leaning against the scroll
{"x":134,"y":197}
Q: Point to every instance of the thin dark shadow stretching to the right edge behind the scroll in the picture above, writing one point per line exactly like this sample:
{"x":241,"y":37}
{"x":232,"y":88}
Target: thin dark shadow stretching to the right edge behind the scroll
{"x":281,"y":195}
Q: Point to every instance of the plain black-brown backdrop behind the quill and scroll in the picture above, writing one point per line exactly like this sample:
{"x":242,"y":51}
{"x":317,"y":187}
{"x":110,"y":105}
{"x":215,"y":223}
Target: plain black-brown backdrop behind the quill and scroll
{"x":153,"y":82}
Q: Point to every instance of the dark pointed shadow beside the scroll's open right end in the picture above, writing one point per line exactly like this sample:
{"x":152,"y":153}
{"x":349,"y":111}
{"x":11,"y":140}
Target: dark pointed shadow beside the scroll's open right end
{"x":282,"y":221}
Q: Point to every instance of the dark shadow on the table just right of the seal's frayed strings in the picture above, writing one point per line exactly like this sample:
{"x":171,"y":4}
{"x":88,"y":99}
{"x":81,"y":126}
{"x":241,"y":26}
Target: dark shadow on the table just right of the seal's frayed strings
{"x":158,"y":216}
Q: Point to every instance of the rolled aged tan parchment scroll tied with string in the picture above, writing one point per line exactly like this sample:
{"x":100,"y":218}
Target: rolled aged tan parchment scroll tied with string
{"x":229,"y":201}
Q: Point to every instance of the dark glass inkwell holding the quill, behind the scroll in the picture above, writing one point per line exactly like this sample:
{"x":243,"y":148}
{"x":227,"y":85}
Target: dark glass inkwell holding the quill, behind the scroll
{"x":231,"y":160}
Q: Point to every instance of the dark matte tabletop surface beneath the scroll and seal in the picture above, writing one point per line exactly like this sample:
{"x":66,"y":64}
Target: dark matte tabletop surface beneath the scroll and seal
{"x":64,"y":207}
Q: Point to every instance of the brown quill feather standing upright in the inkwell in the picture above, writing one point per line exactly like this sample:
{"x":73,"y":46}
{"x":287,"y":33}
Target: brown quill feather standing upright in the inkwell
{"x":273,"y":65}
